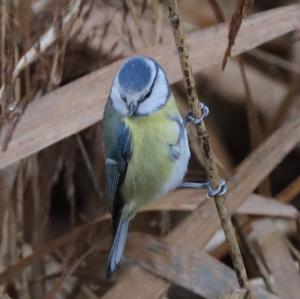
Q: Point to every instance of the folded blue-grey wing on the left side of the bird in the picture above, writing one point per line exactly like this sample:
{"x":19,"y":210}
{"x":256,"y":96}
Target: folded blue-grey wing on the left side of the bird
{"x":117,"y":151}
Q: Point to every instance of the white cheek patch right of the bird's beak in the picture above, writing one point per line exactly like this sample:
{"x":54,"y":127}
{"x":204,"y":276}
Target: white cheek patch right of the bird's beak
{"x":158,"y":97}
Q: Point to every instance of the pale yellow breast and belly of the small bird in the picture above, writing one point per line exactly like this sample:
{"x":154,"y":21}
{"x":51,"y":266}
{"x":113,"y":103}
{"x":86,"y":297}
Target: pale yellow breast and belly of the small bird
{"x":150,"y":165}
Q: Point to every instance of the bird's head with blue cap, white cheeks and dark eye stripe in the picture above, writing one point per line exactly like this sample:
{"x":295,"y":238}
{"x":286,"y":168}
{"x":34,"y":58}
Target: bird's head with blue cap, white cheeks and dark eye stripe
{"x":140,"y":87}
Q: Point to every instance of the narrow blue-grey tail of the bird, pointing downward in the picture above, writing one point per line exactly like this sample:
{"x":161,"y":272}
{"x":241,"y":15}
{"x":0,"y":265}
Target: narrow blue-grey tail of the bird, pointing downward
{"x":117,"y":248}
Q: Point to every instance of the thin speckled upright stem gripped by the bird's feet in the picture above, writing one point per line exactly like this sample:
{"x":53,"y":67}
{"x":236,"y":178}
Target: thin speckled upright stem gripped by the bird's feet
{"x":209,"y":159}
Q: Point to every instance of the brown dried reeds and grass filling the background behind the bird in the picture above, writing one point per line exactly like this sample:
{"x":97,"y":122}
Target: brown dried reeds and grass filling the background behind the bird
{"x":55,"y":229}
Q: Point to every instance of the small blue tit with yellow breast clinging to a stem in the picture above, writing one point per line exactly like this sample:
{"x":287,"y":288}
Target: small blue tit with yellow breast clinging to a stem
{"x":145,"y":145}
